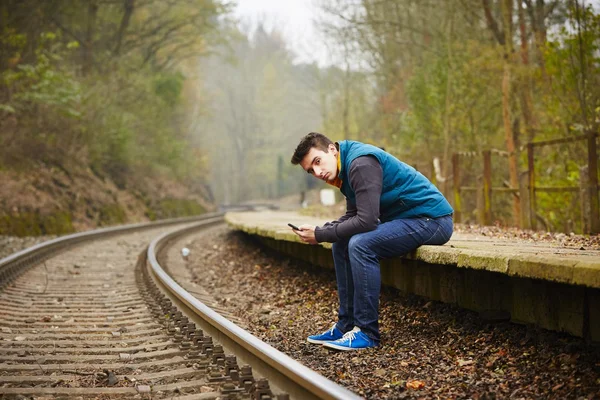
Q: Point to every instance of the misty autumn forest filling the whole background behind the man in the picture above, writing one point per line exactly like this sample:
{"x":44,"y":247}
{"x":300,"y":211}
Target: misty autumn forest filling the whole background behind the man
{"x":488,"y":98}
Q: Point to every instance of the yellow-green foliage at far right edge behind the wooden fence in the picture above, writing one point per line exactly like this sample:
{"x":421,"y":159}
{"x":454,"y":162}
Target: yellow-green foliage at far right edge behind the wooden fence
{"x":569,"y":101}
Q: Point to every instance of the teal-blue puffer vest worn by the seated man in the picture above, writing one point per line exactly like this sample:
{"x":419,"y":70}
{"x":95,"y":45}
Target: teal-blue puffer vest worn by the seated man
{"x":406,"y":193}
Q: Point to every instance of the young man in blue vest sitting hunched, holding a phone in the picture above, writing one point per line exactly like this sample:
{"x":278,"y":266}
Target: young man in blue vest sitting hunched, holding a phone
{"x":391,"y":209}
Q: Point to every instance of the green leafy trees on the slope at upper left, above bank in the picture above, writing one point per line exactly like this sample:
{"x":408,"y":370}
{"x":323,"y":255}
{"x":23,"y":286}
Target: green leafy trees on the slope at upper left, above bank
{"x":116,"y":103}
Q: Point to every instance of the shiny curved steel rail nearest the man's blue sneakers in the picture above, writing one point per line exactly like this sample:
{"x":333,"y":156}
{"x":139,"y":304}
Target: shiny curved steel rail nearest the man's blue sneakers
{"x":286,"y":373}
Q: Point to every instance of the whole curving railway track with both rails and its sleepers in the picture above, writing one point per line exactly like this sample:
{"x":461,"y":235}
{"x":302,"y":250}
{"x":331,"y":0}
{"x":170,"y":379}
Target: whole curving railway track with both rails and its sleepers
{"x":95,"y":315}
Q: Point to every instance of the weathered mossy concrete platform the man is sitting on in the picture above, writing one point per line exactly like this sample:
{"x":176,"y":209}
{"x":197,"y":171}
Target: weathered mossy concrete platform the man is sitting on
{"x":553,"y":287}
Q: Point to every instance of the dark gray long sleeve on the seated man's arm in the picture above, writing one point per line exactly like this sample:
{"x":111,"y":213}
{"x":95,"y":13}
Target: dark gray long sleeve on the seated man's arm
{"x":366,"y":179}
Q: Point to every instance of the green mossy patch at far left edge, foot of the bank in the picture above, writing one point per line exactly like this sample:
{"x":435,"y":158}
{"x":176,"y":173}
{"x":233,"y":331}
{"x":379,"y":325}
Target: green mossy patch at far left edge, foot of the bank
{"x":35,"y":224}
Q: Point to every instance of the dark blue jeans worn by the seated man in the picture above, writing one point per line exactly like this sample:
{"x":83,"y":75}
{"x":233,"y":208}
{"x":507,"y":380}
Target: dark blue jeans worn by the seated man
{"x":357,"y":265}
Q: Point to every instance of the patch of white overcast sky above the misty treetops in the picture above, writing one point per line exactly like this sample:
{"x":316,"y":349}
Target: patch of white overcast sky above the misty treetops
{"x":294,"y":18}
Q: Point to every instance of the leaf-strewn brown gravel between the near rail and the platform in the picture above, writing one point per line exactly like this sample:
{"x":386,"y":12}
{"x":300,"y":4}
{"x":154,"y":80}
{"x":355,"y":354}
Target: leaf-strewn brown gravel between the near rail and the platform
{"x":428,"y":350}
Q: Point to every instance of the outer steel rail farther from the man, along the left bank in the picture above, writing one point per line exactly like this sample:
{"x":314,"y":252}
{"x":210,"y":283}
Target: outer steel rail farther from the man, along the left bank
{"x":15,"y":264}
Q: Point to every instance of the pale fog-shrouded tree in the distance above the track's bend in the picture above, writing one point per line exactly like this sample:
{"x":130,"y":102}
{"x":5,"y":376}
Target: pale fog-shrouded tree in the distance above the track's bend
{"x":260,"y":106}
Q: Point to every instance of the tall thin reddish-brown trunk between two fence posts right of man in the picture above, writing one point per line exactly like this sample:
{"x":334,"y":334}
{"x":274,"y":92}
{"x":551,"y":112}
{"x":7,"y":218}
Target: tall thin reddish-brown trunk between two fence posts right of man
{"x":507,"y":7}
